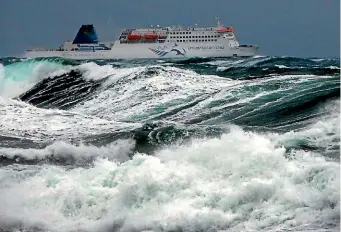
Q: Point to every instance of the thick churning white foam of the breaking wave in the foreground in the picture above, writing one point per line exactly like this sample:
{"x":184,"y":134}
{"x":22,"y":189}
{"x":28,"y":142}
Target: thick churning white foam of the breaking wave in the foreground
{"x":241,"y":181}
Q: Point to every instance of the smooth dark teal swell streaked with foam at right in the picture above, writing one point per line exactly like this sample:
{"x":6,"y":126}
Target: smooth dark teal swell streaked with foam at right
{"x":279,"y":105}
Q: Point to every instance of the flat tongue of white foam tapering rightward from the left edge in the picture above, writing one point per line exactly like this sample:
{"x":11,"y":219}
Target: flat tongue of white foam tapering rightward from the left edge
{"x":20,"y":119}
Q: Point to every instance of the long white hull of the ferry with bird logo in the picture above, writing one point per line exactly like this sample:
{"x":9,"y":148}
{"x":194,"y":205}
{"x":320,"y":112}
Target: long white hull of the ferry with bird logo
{"x":153,"y":51}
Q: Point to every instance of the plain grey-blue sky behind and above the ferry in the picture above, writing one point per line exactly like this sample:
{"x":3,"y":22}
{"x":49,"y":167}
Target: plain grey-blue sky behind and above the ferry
{"x":308,"y":28}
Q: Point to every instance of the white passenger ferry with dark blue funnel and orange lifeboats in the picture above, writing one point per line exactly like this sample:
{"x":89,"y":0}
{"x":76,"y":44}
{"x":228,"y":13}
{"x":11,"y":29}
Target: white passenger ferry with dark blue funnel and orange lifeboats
{"x":152,"y":43}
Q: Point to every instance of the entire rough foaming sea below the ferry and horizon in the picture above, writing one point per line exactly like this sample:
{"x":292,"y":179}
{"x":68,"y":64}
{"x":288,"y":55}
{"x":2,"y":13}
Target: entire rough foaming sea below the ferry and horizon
{"x":228,"y":144}
